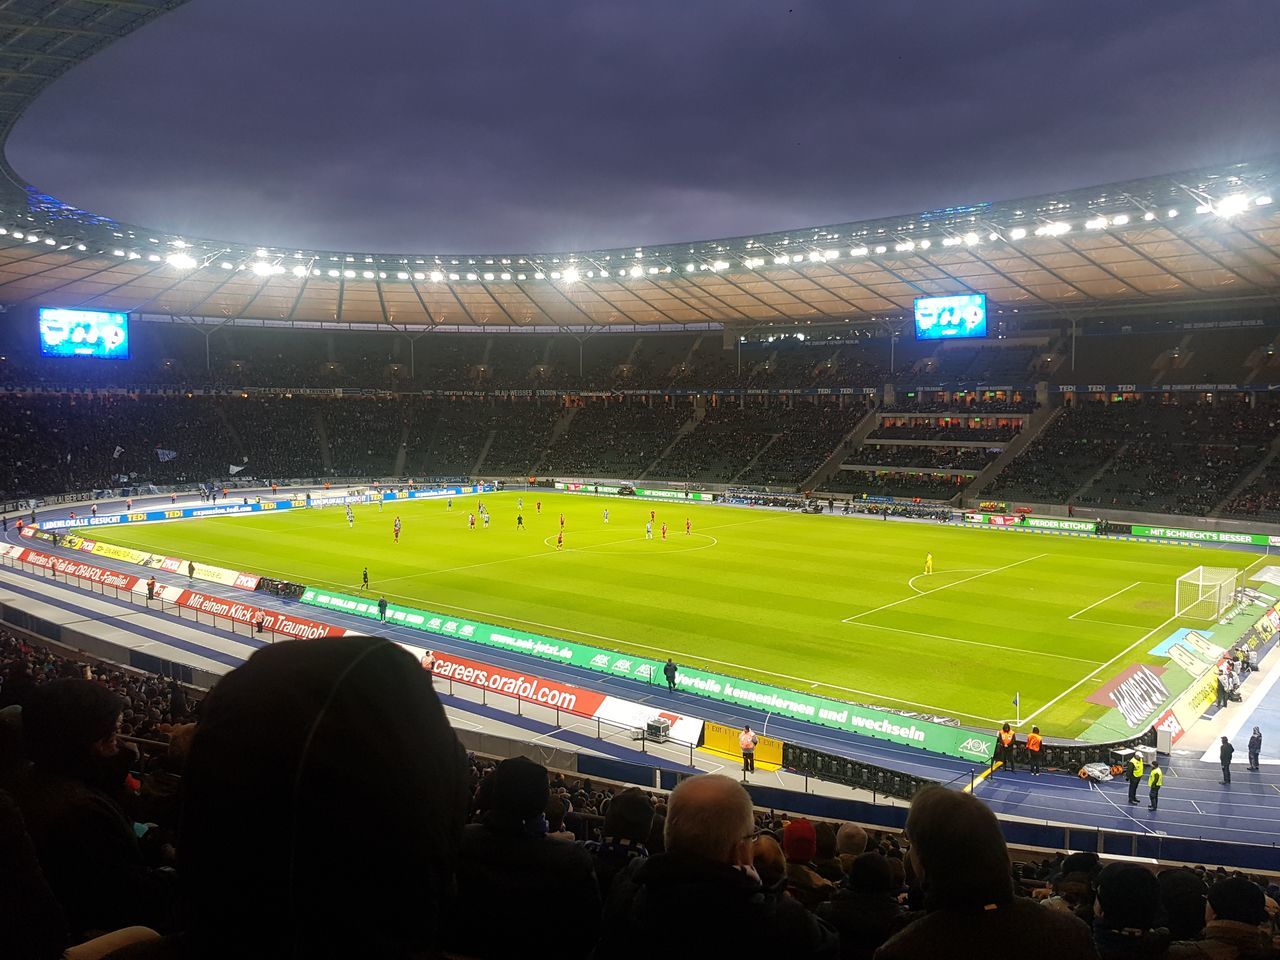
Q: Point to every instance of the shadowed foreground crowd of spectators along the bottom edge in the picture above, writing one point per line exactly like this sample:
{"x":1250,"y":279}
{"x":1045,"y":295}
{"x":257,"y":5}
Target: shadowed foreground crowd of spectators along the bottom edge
{"x":323,"y":807}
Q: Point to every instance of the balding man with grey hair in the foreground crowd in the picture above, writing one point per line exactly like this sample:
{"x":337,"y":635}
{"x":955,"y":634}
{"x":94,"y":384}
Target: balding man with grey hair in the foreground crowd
{"x":703,"y":893}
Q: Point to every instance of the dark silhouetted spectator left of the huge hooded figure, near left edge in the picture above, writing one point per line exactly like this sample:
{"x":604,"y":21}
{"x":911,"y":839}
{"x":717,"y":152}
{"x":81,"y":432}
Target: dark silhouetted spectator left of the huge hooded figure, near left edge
{"x":71,"y":801}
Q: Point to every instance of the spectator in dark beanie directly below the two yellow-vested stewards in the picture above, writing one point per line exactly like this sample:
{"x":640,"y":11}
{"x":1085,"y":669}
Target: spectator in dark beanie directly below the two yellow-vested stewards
{"x":1127,"y":915}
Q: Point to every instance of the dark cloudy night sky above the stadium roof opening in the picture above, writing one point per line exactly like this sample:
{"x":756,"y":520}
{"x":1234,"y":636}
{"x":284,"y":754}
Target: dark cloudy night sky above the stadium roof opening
{"x":409,"y":126}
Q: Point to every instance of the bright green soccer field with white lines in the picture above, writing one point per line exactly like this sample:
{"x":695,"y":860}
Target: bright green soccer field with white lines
{"x":828,"y":605}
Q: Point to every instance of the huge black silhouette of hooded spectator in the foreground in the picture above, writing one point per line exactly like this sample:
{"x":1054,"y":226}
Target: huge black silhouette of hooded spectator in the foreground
{"x":323,"y":804}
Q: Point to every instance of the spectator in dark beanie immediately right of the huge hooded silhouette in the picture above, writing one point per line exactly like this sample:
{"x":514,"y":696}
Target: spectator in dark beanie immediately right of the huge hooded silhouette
{"x":509,"y":868}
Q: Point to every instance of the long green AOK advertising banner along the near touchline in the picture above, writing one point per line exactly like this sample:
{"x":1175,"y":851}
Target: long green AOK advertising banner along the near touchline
{"x":881,"y":725}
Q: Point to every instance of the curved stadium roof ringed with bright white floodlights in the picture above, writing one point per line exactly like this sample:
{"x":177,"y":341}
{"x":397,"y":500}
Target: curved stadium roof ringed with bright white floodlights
{"x":1209,"y":236}
